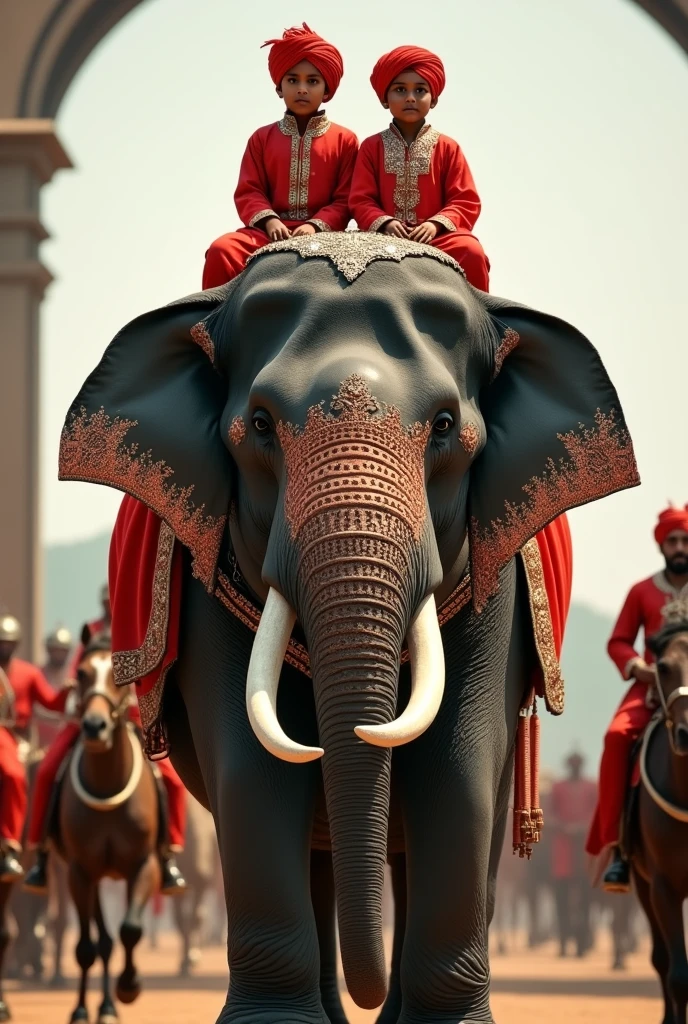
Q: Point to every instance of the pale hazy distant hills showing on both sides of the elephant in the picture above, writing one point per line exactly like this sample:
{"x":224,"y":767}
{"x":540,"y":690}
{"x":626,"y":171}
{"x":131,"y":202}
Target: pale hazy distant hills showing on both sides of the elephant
{"x":75,"y":573}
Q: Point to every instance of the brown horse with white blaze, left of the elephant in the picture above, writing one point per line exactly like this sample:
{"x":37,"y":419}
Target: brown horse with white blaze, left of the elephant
{"x":108,"y":824}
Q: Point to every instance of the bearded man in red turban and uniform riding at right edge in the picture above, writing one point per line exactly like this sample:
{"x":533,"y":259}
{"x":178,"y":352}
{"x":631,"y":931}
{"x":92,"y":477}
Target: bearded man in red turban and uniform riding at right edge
{"x":643,"y":609}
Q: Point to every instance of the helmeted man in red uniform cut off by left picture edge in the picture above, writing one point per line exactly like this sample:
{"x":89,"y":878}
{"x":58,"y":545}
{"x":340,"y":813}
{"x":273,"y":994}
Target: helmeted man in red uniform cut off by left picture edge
{"x":22,"y":686}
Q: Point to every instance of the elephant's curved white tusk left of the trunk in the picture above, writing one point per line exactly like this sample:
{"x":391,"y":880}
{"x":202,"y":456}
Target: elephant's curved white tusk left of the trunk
{"x":263,"y":681}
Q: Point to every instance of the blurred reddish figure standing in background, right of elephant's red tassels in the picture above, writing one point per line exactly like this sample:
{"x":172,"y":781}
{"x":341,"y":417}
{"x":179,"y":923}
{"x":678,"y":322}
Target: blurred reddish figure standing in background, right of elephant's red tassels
{"x":573,"y":805}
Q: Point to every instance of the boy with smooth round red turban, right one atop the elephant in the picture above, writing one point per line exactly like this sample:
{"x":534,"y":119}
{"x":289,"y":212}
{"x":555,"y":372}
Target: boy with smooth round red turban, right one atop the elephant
{"x":410,"y":181}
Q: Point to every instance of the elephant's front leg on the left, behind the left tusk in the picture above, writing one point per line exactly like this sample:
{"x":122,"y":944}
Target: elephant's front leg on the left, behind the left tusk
{"x":264,"y":810}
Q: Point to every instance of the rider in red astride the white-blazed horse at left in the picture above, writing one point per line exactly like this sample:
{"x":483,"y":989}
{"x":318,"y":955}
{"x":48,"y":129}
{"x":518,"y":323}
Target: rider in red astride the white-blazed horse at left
{"x":37,"y":879}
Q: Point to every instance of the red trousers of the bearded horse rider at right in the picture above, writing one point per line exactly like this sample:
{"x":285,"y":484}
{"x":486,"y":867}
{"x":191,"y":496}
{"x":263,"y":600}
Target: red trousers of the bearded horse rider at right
{"x":629,"y":722}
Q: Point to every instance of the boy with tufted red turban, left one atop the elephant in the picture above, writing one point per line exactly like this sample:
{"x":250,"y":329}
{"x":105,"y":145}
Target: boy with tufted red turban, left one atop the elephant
{"x":295,"y":175}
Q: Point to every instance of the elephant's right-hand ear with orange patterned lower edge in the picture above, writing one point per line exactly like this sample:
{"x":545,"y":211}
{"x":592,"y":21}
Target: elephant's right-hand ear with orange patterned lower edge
{"x":556,"y":438}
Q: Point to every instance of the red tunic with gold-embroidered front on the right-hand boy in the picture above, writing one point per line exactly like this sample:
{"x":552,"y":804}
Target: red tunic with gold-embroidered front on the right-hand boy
{"x":427,"y":181}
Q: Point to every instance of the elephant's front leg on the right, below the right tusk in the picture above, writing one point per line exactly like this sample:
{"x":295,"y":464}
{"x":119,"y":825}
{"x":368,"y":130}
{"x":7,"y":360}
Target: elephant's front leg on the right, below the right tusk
{"x":452,"y":784}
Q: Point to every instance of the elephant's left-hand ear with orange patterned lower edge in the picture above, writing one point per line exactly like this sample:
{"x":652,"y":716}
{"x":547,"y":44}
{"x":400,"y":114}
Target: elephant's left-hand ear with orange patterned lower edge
{"x":148,"y":422}
